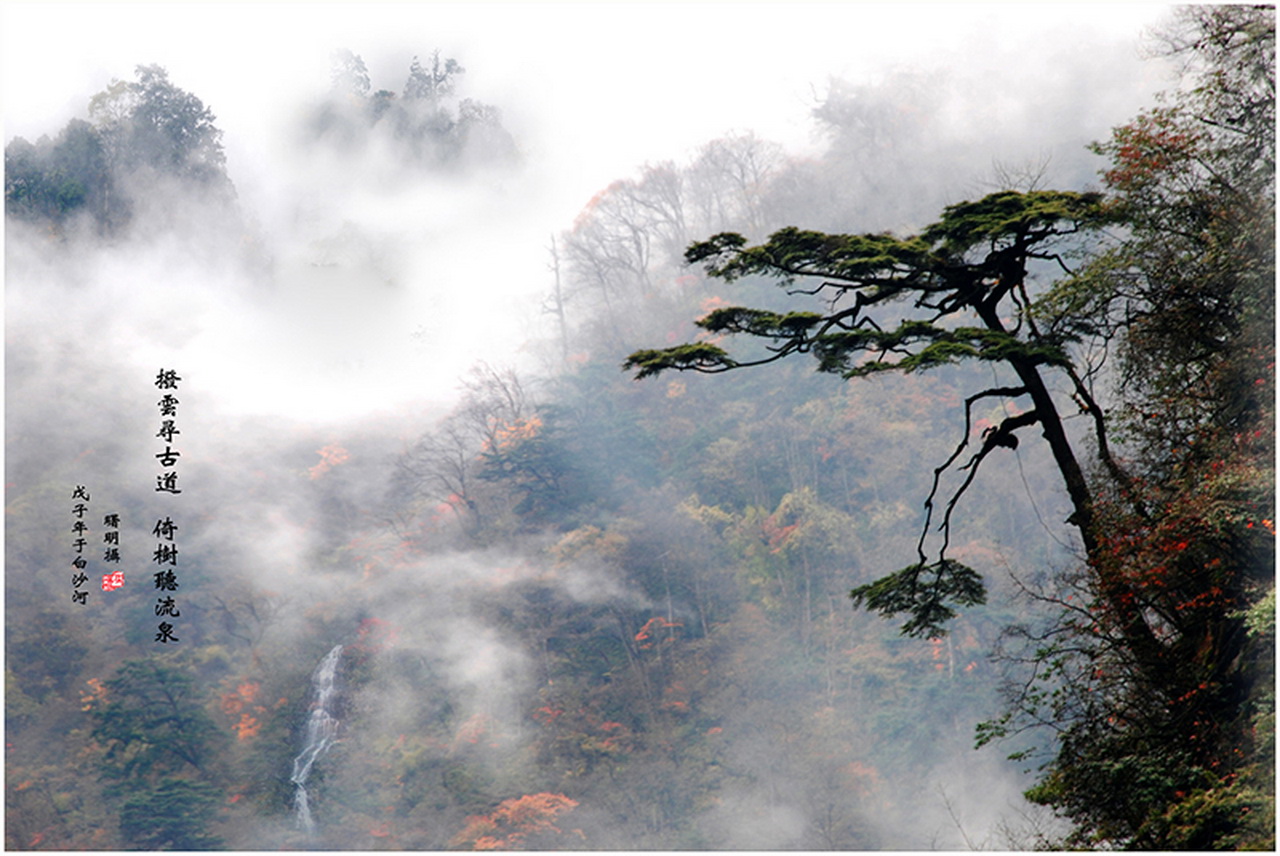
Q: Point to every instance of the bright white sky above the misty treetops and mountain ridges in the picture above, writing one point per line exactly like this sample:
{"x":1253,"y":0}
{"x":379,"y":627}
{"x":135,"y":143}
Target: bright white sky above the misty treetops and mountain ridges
{"x":614,"y":85}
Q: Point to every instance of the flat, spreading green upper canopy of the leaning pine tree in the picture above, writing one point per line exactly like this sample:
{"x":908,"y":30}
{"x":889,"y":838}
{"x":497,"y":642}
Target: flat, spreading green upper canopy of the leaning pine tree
{"x":877,"y":269}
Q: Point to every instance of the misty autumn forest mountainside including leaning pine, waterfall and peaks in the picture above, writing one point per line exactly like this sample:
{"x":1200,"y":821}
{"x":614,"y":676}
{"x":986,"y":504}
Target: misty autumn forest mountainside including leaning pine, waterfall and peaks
{"x":998,"y":575}
